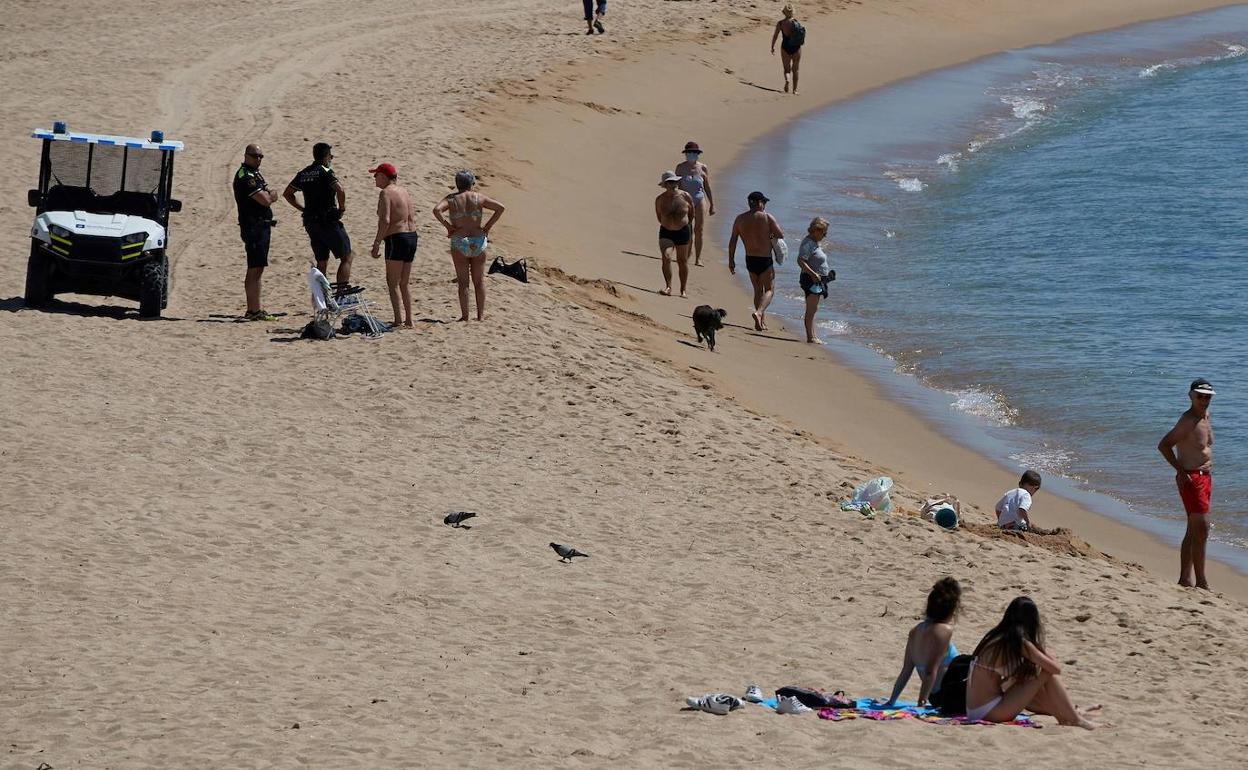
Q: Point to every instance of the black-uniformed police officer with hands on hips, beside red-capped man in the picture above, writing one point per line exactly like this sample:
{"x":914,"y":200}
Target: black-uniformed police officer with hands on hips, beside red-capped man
{"x":324,"y":205}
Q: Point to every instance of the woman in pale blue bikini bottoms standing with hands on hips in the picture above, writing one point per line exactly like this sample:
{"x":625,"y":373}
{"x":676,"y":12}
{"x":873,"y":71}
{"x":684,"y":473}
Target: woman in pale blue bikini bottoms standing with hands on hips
{"x":460,"y":213}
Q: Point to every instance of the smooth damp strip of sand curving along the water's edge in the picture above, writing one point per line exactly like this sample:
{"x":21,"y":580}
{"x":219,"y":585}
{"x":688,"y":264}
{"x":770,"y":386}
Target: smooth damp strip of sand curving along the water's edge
{"x":734,"y":110}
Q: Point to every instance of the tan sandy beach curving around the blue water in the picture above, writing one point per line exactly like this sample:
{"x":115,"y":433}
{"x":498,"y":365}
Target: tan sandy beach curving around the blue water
{"x":227,"y":545}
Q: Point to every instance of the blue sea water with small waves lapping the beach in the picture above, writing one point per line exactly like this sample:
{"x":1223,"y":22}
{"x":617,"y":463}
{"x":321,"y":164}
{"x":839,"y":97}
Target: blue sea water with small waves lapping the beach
{"x":1040,"y":250}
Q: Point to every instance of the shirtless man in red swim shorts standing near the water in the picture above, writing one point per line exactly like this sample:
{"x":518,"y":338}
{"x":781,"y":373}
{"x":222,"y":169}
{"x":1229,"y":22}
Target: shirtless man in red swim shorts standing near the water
{"x":1189,"y":449}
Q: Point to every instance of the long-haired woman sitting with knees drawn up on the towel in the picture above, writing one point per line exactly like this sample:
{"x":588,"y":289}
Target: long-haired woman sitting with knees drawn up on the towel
{"x":1013,"y":673}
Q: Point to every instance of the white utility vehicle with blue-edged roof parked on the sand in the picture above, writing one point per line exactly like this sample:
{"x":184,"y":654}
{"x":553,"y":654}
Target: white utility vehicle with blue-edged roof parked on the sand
{"x":102,"y":218}
